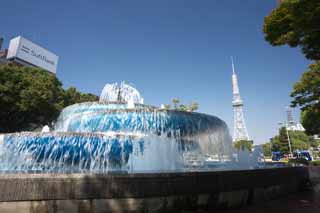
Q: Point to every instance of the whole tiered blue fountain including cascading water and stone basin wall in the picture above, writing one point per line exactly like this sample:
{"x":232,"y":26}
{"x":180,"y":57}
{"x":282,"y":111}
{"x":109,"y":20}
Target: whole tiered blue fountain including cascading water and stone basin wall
{"x":119,"y":155}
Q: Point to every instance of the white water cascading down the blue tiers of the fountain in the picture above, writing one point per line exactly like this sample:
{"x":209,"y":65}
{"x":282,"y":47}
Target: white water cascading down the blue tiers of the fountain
{"x":113,"y":135}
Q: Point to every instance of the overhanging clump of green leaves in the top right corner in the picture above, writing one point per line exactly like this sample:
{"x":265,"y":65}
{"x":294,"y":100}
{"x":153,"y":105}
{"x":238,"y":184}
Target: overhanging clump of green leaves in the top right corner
{"x":295,"y":23}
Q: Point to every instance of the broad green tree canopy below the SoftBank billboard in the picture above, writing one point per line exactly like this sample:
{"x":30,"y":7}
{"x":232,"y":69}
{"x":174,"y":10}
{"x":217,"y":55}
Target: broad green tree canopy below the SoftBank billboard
{"x":31,"y":97}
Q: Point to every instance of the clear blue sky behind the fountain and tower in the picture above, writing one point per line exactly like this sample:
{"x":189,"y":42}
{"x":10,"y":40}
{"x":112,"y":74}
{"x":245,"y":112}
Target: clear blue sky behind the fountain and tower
{"x":167,"y":48}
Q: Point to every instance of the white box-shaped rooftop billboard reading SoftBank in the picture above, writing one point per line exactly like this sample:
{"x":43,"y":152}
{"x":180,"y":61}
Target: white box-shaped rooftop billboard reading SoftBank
{"x":31,"y":53}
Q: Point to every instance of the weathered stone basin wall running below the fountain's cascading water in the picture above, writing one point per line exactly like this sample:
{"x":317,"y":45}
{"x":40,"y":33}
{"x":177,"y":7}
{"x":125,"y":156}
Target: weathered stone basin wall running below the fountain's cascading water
{"x":79,"y":193}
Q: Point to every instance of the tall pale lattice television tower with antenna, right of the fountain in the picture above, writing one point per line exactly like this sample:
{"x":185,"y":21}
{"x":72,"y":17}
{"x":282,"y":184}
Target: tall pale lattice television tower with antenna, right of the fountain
{"x":239,"y":126}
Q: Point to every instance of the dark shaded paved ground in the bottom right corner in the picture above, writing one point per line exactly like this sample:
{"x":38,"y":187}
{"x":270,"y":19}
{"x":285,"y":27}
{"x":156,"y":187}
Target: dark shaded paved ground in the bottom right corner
{"x":306,"y":202}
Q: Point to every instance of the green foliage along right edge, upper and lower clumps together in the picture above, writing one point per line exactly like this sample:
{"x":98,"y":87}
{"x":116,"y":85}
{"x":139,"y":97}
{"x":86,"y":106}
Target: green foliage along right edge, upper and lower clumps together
{"x":297,"y":23}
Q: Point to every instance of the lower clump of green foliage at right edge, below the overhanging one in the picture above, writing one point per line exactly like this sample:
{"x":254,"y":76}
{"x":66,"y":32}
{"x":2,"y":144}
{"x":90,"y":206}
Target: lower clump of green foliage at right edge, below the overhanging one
{"x":306,"y":94}
